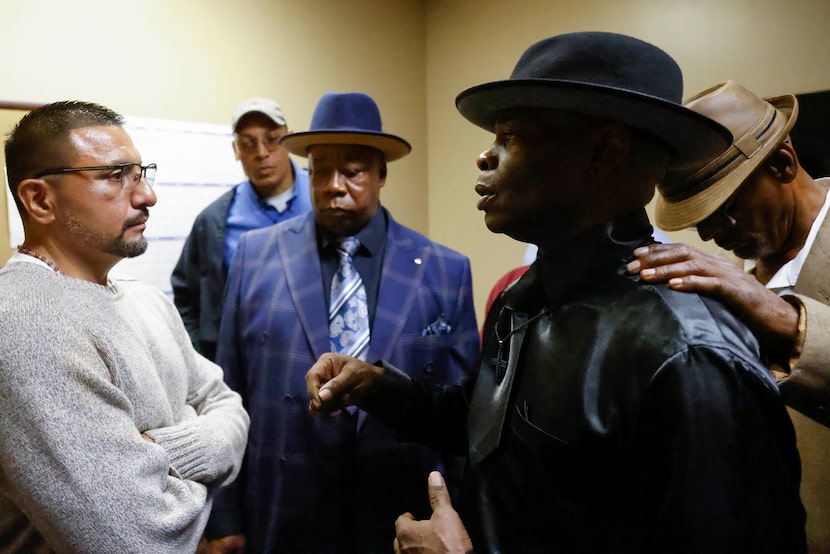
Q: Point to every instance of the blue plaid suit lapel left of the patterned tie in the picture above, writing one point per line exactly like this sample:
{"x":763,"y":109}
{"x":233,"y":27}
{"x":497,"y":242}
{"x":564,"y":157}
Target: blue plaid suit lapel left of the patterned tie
{"x":301,"y":263}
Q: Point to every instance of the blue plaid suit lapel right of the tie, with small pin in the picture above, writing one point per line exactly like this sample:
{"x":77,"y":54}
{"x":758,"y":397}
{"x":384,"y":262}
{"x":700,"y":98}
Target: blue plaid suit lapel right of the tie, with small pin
{"x":404,"y":263}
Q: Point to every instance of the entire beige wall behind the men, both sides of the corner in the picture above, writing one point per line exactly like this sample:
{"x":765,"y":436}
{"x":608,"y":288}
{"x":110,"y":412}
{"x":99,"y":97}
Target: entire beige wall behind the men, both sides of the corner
{"x":195,"y":59}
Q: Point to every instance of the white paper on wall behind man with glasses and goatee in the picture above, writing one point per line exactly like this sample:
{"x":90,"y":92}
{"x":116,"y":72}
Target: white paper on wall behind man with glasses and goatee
{"x":196,"y":165}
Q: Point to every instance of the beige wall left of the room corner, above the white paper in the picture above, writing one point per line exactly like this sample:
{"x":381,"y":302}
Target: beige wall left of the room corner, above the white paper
{"x":195,"y":60}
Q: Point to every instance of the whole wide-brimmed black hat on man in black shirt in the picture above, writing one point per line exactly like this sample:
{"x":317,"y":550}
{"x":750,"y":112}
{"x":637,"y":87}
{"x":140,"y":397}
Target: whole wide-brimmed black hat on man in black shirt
{"x":605,"y":75}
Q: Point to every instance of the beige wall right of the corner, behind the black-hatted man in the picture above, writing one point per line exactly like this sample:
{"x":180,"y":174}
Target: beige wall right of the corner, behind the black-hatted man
{"x":770,"y":46}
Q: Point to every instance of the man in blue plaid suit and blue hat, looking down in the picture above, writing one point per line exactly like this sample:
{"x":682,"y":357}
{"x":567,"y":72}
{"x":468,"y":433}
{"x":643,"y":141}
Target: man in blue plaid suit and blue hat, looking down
{"x":312,"y":484}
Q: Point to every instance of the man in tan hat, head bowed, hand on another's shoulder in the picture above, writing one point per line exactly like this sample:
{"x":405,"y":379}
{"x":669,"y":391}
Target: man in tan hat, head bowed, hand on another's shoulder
{"x":757,"y":201}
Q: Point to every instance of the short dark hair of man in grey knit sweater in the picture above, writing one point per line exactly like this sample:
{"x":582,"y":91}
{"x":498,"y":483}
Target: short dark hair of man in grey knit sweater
{"x":35,"y":141}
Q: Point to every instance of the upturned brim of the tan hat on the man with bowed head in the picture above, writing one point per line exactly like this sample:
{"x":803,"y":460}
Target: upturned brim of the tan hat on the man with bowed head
{"x":674,"y":216}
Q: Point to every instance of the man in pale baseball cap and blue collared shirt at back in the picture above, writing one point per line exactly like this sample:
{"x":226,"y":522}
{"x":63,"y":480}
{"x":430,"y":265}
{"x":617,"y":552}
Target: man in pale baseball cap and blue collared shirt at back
{"x":276,"y":189}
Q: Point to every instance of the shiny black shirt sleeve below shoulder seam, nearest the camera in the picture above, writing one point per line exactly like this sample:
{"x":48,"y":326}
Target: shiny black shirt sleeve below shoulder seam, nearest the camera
{"x":714,"y":453}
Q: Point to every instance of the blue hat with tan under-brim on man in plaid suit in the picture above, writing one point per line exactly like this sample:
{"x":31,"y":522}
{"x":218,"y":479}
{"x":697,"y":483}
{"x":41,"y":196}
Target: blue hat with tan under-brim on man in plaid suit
{"x":346,"y":118}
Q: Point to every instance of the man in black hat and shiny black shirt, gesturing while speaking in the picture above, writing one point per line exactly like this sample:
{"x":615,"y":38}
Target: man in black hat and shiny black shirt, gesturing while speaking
{"x":608,"y":414}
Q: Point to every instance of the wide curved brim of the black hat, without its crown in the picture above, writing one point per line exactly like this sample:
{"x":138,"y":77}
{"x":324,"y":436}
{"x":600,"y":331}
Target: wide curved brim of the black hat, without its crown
{"x":693,"y":137}
